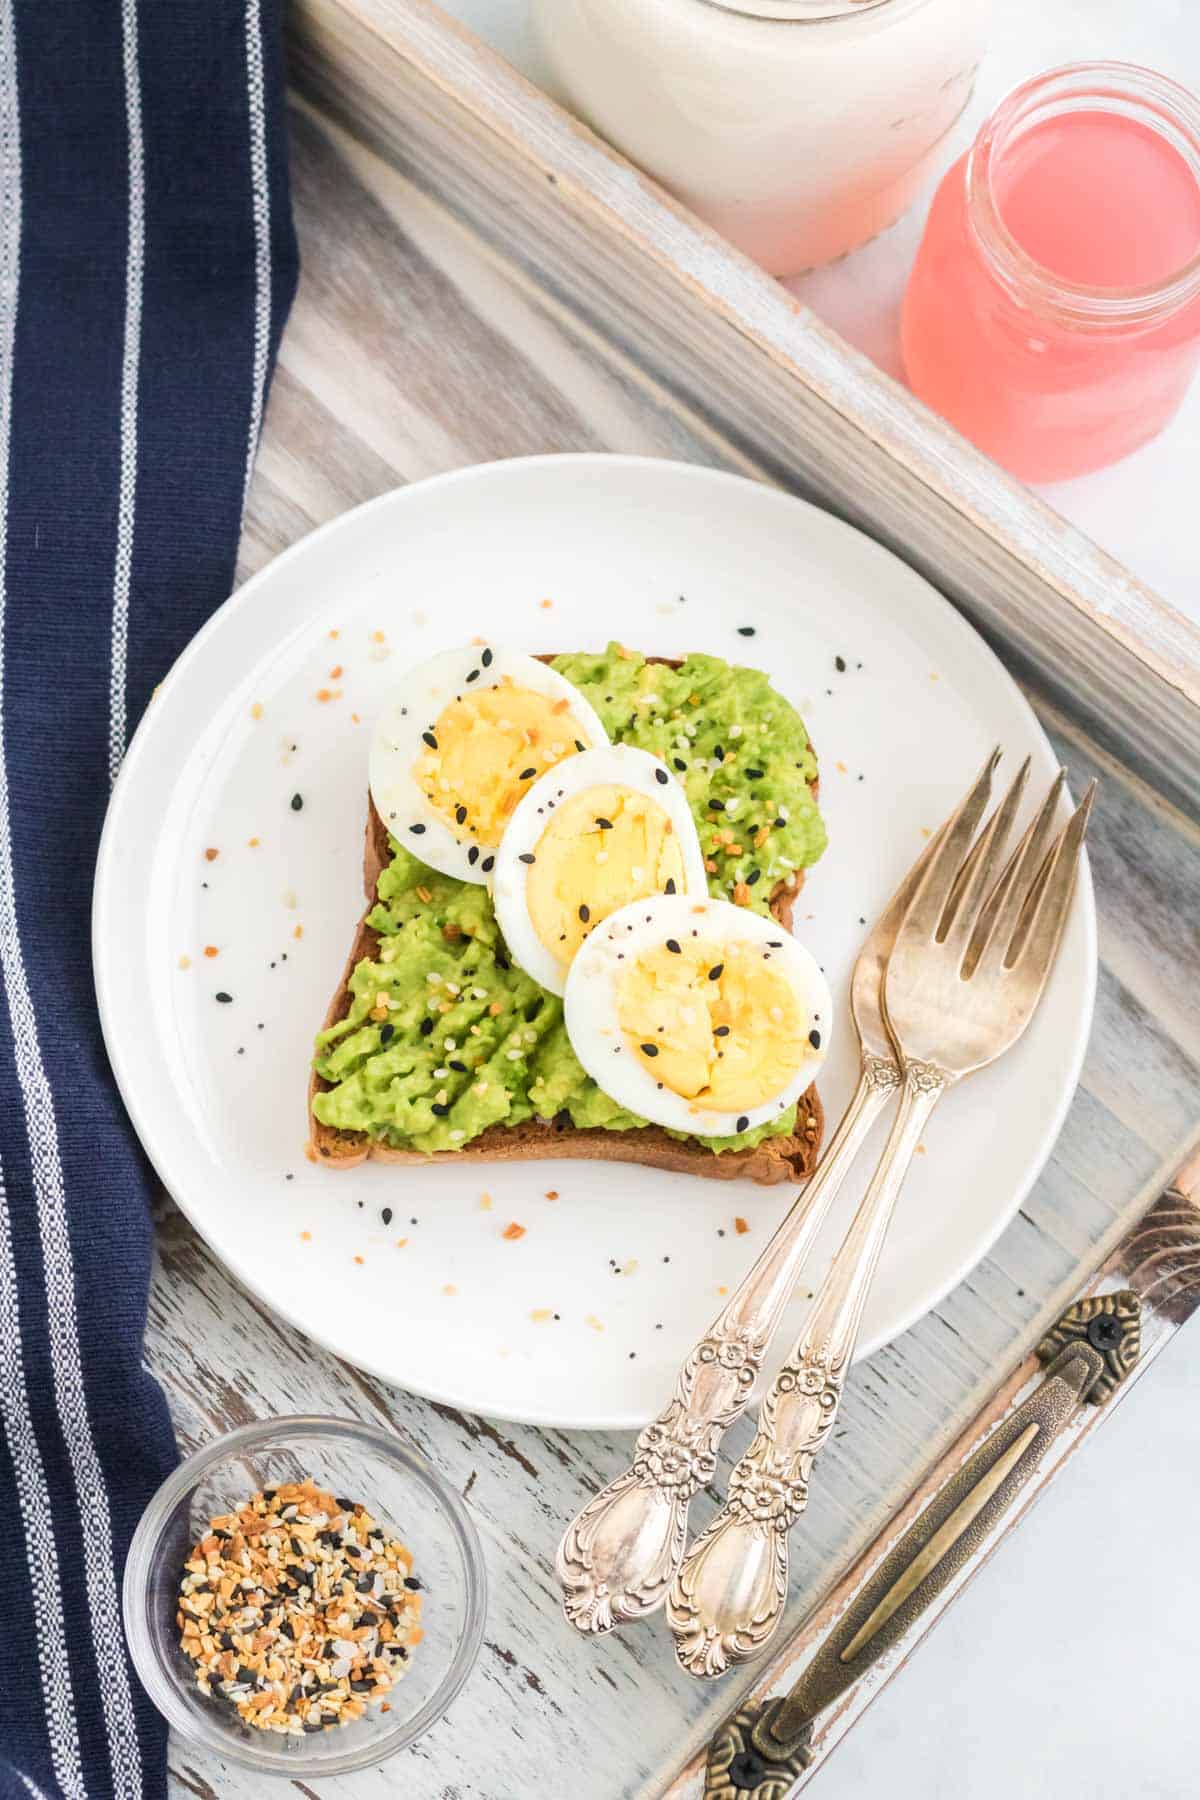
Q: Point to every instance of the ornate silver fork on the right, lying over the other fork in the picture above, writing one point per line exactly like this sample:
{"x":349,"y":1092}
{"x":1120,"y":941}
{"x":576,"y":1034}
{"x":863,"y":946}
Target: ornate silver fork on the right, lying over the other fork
{"x":965,"y":975}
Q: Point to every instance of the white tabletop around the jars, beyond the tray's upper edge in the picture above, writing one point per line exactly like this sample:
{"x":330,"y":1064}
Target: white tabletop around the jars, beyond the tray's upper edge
{"x":1142,"y":508}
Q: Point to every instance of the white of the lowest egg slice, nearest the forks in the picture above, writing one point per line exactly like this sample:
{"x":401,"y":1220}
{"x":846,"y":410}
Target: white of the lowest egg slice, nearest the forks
{"x":595,"y":1029}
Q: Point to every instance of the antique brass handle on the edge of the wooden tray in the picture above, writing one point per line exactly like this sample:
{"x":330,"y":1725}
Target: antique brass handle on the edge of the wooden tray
{"x":762,"y":1750}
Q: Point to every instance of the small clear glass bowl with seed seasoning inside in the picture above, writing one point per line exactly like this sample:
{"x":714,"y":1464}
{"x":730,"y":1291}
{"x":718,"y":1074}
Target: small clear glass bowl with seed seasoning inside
{"x":305,"y":1597}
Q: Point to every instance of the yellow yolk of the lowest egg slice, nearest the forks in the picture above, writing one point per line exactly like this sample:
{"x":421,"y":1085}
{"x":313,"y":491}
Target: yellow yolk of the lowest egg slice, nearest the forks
{"x":719,"y":1025}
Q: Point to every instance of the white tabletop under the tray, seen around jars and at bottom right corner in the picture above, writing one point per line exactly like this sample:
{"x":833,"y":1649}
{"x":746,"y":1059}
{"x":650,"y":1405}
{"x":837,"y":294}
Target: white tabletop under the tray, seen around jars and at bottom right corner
{"x":1071,"y":1666}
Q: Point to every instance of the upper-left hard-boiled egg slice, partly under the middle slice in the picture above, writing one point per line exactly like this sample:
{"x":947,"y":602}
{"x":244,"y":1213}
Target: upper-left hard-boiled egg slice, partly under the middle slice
{"x":465,"y":737}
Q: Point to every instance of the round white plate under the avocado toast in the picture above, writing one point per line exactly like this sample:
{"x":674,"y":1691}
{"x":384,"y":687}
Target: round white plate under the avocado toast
{"x":550,"y":553}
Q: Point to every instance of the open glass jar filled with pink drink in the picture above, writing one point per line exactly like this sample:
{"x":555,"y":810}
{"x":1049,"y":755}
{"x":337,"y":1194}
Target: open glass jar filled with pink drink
{"x":1053,"y":312}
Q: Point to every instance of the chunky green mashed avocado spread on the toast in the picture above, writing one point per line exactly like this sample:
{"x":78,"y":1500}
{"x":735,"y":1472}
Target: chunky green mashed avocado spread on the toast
{"x":445,"y":1036}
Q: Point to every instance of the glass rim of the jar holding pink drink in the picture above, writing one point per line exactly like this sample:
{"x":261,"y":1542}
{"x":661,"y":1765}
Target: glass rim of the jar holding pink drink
{"x":1124,"y":89}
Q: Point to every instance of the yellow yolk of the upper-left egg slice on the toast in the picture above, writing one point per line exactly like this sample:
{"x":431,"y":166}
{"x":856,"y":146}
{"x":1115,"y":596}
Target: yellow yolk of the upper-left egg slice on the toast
{"x":485,"y":750}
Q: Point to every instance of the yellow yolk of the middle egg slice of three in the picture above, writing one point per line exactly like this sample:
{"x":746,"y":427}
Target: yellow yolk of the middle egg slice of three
{"x":602,"y":849}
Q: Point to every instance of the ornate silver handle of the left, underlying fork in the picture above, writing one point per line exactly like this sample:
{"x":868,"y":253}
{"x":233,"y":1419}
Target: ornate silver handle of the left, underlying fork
{"x":620,"y":1556}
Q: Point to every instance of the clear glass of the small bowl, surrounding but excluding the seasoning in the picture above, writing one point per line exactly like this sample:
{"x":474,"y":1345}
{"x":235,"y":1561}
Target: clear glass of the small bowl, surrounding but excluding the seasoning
{"x":402,"y":1491}
